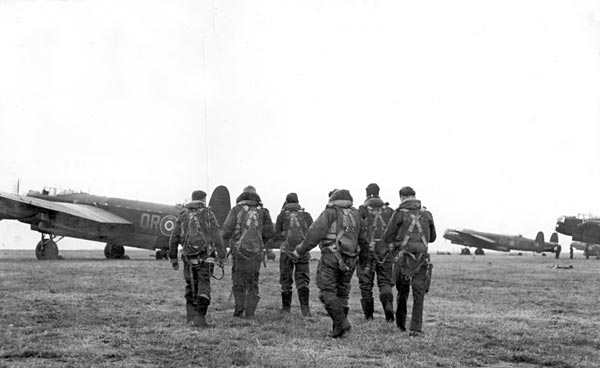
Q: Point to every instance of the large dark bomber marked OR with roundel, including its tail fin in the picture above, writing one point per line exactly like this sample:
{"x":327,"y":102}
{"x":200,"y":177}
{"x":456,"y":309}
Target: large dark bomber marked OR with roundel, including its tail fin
{"x":118,"y":222}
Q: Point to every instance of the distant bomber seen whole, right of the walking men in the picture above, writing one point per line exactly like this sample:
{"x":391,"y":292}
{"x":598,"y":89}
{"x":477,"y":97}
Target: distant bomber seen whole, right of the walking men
{"x":501,"y":243}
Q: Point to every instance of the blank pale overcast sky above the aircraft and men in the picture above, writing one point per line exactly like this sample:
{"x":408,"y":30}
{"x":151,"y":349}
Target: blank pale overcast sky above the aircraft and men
{"x":490,"y":110}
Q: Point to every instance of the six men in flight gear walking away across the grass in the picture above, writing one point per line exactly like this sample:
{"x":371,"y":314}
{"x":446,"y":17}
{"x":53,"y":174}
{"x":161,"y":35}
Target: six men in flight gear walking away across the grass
{"x":374,"y":240}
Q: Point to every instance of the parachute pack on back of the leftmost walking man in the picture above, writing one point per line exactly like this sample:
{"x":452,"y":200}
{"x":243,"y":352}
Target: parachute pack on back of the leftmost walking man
{"x":196,"y":232}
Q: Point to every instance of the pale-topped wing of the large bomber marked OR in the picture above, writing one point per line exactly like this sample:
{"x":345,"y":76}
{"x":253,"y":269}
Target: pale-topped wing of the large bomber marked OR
{"x":14,"y":206}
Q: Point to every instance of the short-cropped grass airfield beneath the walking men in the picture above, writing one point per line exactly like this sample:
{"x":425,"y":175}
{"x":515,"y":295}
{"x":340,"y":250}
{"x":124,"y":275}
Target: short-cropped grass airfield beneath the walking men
{"x":489,"y":311}
